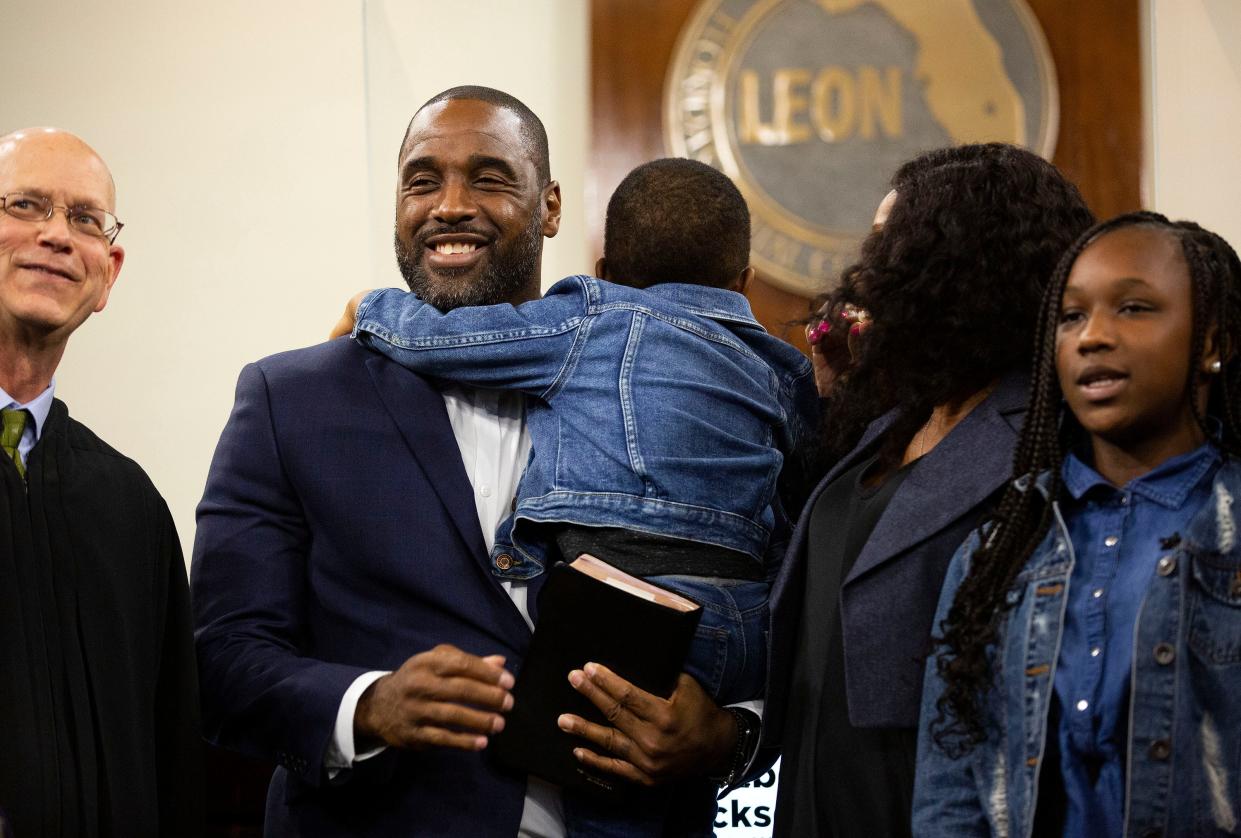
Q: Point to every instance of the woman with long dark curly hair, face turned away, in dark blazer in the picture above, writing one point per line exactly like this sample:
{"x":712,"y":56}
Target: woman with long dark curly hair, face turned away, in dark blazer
{"x":920,"y":431}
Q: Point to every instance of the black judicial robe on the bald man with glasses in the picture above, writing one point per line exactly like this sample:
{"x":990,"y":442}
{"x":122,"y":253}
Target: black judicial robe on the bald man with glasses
{"x":99,"y":688}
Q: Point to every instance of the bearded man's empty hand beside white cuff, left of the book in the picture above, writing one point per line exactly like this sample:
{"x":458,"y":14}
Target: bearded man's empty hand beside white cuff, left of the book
{"x":440,"y":698}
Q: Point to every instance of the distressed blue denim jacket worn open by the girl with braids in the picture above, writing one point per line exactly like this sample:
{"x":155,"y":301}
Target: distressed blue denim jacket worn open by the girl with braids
{"x":1185,"y":746}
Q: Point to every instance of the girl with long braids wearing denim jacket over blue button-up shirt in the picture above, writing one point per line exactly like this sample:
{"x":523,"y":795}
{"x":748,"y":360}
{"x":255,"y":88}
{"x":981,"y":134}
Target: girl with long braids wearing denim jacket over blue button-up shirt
{"x":1088,"y":680}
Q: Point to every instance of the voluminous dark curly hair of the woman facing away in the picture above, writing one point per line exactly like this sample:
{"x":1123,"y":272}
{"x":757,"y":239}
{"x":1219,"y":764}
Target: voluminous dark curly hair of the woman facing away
{"x":952,"y":282}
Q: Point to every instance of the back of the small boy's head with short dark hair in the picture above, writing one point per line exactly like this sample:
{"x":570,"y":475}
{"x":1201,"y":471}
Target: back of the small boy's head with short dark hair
{"x":677,"y":220}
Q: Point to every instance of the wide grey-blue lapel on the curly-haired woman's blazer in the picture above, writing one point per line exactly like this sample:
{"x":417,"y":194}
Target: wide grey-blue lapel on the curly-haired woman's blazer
{"x":970,"y":465}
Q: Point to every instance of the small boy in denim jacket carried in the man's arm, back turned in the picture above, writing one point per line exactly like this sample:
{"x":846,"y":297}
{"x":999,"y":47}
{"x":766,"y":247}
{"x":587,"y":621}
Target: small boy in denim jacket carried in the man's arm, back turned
{"x":660,"y":412}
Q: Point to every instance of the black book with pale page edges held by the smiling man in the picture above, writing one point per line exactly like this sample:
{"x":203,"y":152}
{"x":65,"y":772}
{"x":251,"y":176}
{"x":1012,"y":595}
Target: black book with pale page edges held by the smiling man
{"x":590,"y":613}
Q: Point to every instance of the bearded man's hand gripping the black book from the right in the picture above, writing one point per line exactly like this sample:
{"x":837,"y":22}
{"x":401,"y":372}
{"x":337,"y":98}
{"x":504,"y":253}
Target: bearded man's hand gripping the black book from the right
{"x":653,"y":741}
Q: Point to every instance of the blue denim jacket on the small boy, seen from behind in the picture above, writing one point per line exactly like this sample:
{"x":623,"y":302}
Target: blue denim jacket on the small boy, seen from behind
{"x":663,"y":410}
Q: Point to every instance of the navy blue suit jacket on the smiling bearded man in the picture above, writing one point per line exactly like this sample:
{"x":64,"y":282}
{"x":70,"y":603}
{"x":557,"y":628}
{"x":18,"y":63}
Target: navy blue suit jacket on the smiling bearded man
{"x":338,"y":534}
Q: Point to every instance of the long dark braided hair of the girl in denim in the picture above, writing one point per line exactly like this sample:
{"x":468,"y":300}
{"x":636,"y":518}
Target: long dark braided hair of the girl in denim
{"x":1024,"y":513}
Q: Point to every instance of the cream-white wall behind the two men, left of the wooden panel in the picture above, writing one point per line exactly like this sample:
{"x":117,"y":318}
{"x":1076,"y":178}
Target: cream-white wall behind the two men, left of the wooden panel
{"x":255,"y":152}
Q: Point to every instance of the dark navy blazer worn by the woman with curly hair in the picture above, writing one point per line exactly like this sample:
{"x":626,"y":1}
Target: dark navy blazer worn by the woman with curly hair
{"x":888,"y":600}
